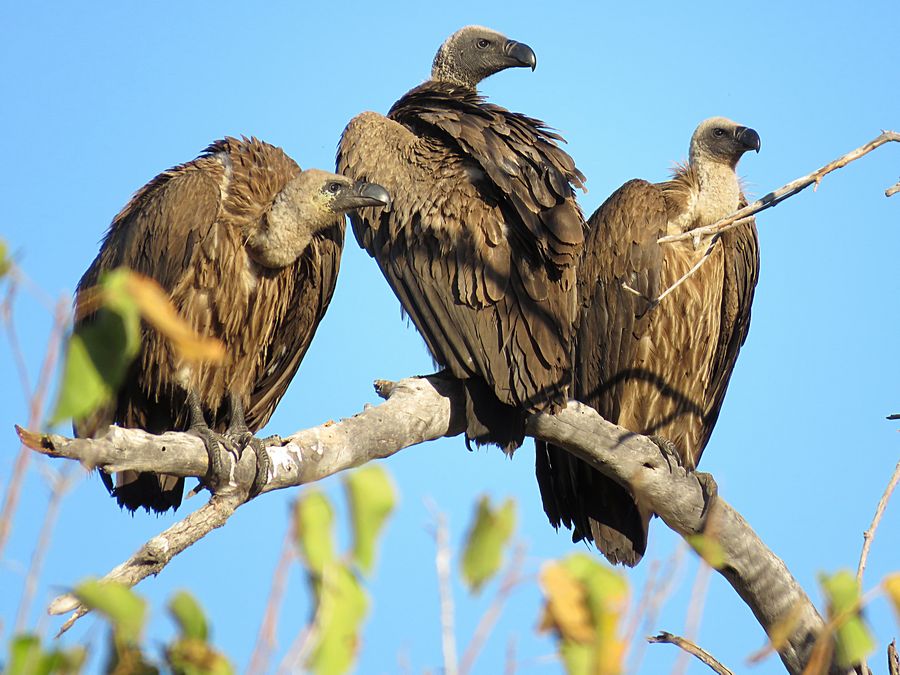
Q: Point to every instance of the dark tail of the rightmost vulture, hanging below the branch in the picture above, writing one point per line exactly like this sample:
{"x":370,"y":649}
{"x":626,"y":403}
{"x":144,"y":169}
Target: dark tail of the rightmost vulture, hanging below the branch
{"x":592,"y":505}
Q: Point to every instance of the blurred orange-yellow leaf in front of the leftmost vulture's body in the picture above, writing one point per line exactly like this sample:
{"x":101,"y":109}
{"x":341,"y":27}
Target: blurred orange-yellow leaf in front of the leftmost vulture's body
{"x":156,"y":308}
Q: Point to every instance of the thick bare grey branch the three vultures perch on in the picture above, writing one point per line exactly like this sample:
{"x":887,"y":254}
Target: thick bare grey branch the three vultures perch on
{"x":421,"y":409}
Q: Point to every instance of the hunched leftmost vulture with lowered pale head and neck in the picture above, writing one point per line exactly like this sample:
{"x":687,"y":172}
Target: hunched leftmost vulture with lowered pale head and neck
{"x":247,"y":246}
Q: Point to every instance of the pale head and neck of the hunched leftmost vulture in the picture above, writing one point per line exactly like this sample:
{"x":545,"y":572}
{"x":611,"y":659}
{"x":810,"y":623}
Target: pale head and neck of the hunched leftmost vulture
{"x":308,"y":204}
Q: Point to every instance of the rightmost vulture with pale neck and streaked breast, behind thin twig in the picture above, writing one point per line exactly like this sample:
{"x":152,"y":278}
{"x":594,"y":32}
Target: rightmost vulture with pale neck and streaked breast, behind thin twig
{"x":658,"y":370}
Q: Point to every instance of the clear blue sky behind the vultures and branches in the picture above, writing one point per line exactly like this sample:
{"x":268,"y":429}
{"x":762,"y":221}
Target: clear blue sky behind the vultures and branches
{"x":99,"y":99}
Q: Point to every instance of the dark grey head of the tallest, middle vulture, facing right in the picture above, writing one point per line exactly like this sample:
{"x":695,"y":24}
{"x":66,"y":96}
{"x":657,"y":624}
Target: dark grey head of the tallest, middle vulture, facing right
{"x":475,"y":52}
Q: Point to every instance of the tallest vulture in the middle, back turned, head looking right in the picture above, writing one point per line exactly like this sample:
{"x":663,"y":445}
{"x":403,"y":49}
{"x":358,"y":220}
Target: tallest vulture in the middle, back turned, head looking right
{"x":481,"y":241}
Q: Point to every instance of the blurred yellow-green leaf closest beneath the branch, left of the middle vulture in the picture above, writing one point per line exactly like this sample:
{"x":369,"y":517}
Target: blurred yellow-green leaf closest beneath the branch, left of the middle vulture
{"x":372,"y":498}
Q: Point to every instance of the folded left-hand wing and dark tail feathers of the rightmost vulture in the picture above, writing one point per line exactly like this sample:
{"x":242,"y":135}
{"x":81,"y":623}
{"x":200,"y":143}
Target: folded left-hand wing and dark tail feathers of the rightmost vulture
{"x":620,"y":250}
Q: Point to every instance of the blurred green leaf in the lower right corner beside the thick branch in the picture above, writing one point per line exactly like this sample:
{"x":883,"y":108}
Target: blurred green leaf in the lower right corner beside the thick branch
{"x":853,"y":640}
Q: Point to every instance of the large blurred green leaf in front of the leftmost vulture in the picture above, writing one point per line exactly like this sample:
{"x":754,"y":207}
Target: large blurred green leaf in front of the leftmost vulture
{"x":99,"y":352}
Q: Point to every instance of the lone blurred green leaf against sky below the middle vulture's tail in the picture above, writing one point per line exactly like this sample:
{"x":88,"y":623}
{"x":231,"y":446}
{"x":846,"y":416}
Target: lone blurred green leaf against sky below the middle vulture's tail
{"x":486,"y":541}
